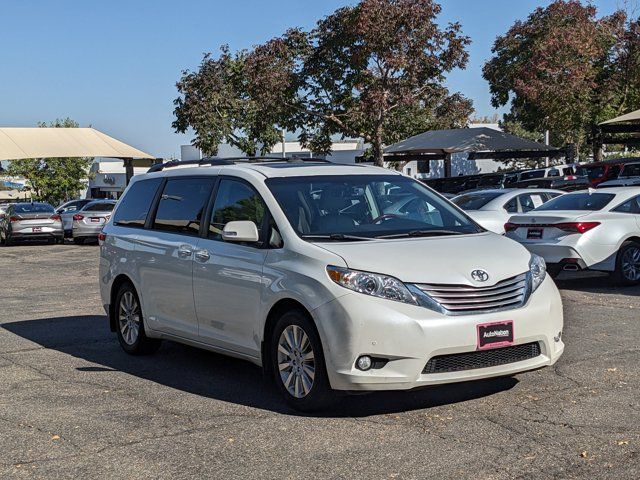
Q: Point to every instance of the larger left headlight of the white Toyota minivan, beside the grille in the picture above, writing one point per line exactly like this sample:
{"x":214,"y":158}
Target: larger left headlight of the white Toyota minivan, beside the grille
{"x":372,"y":284}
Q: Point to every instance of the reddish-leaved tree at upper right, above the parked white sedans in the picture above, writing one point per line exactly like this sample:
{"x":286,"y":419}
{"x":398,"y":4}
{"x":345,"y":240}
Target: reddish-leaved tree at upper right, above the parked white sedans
{"x":553,"y":69}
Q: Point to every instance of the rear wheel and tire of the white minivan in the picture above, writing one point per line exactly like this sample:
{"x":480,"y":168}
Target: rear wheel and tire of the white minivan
{"x":130,"y":323}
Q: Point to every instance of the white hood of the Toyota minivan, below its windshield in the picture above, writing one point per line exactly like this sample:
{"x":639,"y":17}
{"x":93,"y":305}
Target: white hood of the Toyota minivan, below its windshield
{"x":448,"y":260}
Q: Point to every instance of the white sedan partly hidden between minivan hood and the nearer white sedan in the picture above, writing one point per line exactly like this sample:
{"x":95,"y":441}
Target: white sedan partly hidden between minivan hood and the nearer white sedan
{"x":493,"y":208}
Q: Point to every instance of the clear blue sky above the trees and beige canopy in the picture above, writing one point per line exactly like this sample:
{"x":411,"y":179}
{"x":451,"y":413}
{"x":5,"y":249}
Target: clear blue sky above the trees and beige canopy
{"x":114,"y":64}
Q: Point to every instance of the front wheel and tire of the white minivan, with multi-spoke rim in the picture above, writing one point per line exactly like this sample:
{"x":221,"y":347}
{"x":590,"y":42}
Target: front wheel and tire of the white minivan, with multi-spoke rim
{"x":304,"y":384}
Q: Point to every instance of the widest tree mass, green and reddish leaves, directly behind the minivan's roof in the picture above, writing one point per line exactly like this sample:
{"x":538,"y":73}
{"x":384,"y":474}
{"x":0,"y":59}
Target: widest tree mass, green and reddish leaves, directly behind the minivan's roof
{"x":375,"y":71}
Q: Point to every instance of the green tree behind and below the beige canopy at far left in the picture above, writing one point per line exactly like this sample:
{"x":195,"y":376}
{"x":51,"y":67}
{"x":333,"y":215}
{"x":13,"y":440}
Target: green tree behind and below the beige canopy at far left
{"x":53,"y":179}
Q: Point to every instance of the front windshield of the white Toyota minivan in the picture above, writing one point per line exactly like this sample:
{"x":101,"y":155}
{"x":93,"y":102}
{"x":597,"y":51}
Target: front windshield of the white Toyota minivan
{"x":366,"y":206}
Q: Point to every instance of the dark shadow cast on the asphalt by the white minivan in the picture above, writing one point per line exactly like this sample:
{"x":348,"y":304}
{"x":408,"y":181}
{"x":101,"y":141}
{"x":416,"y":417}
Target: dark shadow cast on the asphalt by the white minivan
{"x":216,"y":376}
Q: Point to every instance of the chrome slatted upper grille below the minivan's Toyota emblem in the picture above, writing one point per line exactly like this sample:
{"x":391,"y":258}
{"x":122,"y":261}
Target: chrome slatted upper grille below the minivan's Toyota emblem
{"x":463,"y":299}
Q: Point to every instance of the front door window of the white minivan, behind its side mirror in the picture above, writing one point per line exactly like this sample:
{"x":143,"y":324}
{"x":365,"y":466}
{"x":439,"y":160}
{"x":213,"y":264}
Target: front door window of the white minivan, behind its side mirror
{"x":235,"y":201}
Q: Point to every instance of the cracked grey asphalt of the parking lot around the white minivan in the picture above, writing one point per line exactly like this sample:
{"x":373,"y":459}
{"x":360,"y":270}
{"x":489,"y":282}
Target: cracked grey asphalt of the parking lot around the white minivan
{"x":73,"y":405}
